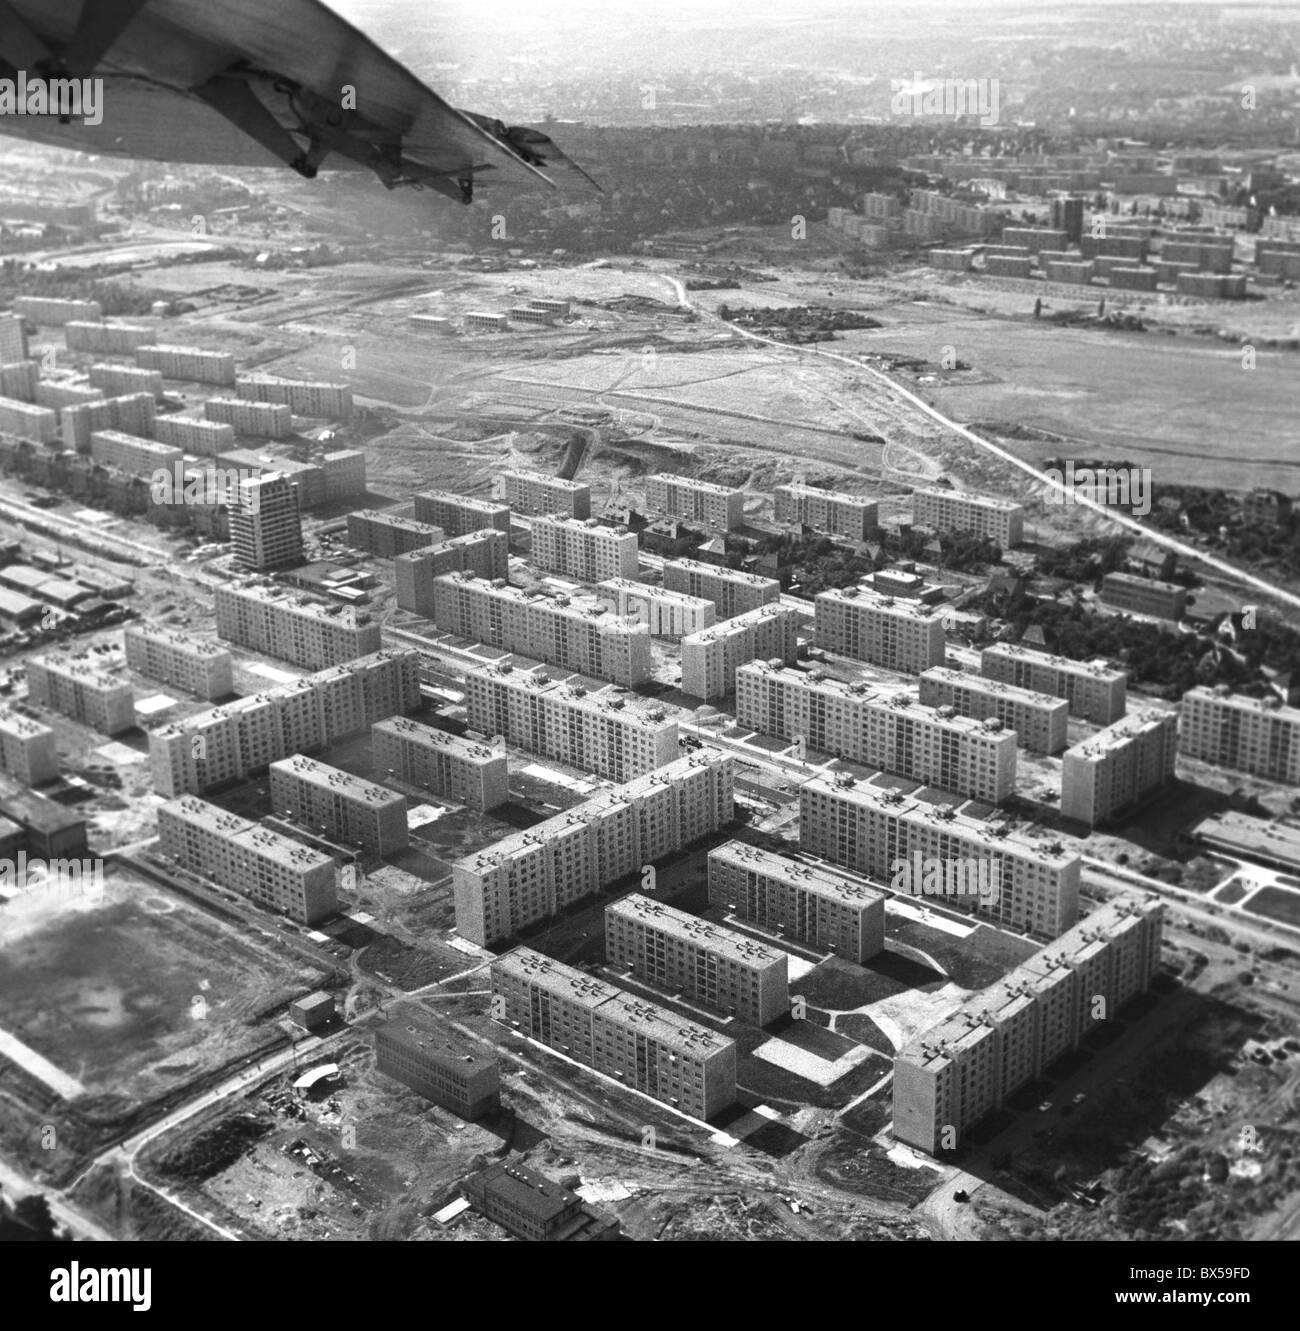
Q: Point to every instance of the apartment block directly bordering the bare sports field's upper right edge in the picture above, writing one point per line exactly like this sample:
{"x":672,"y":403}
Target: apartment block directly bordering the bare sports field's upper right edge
{"x":271,"y":870}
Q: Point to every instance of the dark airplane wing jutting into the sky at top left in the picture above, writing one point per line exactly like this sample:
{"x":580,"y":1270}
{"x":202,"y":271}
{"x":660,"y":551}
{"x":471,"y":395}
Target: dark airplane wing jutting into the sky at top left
{"x":248,"y":83}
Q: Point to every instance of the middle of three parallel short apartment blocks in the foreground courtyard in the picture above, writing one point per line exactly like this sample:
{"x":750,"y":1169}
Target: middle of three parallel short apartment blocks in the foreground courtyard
{"x":711,"y":964}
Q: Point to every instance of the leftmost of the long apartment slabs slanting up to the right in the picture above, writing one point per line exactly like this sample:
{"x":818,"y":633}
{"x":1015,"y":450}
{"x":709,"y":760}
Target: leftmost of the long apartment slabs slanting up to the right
{"x":231,"y":742}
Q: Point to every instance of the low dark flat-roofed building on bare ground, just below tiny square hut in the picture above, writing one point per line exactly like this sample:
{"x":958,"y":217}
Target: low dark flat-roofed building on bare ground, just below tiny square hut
{"x":417,"y":1049}
